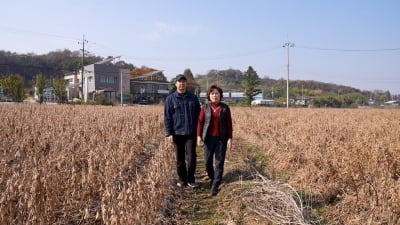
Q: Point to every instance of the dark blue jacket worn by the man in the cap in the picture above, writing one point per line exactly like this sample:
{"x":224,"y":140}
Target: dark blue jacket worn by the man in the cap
{"x":181,"y":113}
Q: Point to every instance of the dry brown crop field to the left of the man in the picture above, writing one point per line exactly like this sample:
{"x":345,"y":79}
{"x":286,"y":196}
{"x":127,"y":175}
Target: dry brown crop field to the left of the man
{"x":82,"y":165}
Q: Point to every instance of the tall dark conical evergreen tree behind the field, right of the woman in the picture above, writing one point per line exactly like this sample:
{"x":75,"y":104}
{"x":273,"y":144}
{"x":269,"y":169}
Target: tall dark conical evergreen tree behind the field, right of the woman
{"x":250,"y":85}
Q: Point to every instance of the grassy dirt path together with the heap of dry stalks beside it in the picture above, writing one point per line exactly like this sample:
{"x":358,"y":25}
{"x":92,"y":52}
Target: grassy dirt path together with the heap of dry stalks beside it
{"x":246,"y":195}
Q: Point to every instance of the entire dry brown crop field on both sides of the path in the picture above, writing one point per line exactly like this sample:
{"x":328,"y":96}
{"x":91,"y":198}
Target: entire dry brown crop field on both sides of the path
{"x":111,"y":165}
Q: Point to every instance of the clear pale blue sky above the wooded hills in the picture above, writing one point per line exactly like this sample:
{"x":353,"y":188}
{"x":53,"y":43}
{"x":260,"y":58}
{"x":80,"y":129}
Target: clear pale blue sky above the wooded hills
{"x":348,"y":42}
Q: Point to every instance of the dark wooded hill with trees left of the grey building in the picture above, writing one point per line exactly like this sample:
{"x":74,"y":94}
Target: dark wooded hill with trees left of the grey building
{"x":21,"y":73}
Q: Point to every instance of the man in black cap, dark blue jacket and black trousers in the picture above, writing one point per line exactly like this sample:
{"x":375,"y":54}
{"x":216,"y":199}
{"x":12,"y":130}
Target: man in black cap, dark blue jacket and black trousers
{"x":181,"y":114}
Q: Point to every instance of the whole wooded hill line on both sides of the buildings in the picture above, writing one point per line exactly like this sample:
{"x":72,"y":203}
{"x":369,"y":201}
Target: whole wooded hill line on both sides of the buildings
{"x":25,"y":71}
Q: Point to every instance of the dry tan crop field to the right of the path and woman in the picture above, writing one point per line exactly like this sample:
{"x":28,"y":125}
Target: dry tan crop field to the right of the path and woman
{"x":345,"y":159}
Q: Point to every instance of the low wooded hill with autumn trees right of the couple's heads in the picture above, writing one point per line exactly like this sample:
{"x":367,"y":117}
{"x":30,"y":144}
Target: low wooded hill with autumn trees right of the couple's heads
{"x":323,"y":94}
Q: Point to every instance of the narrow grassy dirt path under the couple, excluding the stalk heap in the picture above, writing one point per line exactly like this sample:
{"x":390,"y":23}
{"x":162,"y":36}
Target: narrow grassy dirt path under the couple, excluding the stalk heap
{"x":197,"y":206}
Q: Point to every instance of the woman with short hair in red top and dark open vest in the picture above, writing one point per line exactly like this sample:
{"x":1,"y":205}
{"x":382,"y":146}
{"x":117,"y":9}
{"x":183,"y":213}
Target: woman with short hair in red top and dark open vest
{"x":214,"y":131}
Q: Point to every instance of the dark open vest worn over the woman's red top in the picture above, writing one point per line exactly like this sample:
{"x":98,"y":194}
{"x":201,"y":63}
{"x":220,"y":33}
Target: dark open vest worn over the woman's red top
{"x":223,"y":125}
